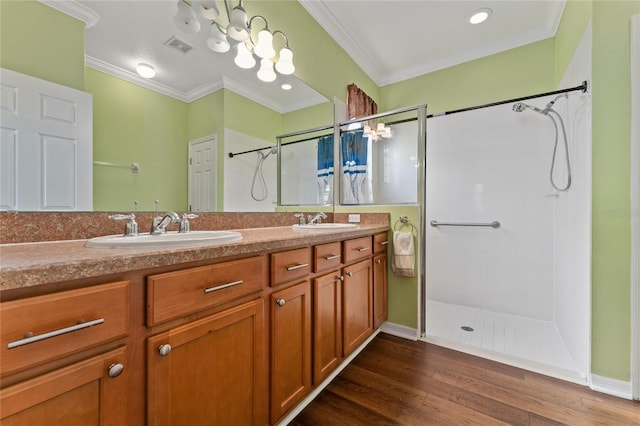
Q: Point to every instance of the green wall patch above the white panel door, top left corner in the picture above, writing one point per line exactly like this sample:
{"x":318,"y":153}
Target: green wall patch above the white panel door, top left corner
{"x":40,"y":41}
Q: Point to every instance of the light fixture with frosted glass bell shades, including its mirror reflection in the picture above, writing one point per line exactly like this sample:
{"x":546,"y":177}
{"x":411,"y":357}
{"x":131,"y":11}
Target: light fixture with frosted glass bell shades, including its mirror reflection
{"x":195,"y":16}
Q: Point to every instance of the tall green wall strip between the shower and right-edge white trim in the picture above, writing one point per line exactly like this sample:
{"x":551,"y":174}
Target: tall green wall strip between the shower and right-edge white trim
{"x":611,"y":250}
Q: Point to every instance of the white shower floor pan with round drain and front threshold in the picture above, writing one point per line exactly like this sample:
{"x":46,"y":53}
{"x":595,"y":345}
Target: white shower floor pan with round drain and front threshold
{"x":526,"y":343}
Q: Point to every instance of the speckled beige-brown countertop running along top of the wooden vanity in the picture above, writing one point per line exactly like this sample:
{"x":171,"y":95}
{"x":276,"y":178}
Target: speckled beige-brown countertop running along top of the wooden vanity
{"x":31,"y":264}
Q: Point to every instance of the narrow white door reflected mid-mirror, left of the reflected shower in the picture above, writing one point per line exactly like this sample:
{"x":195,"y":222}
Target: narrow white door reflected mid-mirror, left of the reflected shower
{"x":202,"y":174}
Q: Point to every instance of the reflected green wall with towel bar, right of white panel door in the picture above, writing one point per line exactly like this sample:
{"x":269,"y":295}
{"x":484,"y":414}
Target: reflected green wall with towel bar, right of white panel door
{"x":133,"y":124}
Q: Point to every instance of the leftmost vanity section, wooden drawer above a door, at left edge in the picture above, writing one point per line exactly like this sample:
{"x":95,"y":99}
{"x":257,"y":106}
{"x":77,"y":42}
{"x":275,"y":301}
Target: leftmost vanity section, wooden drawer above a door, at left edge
{"x":49,"y":334}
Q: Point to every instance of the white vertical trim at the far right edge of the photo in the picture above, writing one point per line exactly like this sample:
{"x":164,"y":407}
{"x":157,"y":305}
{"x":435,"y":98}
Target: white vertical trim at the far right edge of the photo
{"x":635,"y":205}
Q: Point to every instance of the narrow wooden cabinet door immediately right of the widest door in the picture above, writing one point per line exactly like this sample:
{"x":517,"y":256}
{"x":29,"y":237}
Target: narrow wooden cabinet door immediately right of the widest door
{"x":290,"y":347}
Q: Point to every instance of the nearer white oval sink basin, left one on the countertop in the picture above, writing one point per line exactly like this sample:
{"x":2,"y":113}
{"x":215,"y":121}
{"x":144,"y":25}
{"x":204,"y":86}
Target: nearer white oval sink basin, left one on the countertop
{"x":168,"y":240}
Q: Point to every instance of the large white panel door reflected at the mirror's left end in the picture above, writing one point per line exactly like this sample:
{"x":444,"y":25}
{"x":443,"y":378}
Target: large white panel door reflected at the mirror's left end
{"x":46,"y":148}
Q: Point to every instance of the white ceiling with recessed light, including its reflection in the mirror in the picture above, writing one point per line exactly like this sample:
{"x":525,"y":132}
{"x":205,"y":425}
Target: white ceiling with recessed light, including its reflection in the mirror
{"x":391,"y":40}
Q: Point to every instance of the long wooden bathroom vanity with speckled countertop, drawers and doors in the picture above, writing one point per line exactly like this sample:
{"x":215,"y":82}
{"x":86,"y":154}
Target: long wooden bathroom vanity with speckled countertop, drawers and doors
{"x":236,"y":333}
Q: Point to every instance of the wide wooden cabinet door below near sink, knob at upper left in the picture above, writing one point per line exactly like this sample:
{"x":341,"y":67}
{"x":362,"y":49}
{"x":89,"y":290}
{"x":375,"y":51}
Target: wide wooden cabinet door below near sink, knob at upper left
{"x":211,"y":371}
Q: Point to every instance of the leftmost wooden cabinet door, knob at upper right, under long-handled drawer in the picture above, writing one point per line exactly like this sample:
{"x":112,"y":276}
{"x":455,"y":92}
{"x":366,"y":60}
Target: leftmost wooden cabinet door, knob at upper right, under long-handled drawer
{"x":89,"y":392}
